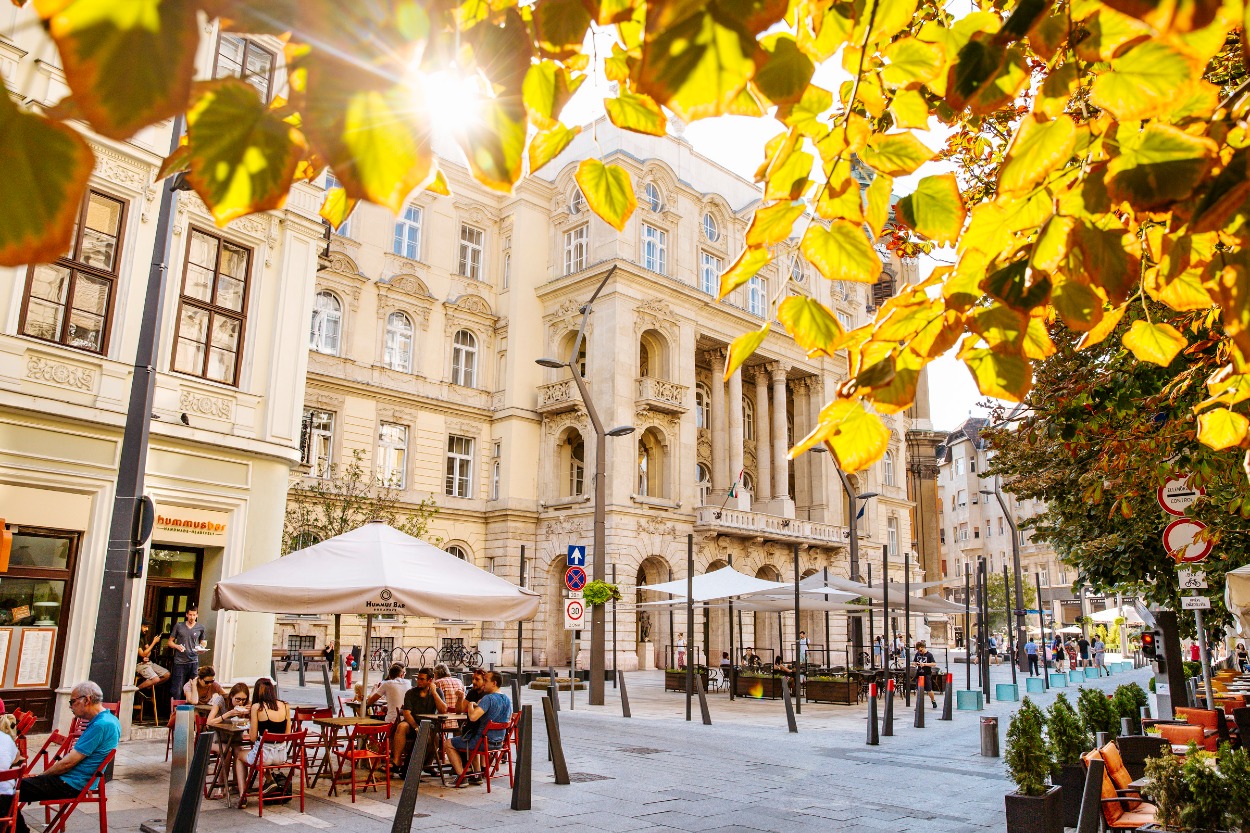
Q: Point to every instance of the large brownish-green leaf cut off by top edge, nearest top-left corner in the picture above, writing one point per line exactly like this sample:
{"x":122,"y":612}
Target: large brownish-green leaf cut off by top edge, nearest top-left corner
{"x":129,"y":62}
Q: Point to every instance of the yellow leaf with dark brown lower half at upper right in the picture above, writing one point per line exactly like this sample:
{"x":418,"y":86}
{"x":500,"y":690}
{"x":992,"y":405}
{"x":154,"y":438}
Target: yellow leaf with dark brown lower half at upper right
{"x":1158,"y":166}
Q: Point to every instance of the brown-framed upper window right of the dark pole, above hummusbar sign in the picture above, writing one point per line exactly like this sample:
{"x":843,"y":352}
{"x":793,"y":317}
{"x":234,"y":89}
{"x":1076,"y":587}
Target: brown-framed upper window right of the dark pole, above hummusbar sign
{"x":211,"y":315}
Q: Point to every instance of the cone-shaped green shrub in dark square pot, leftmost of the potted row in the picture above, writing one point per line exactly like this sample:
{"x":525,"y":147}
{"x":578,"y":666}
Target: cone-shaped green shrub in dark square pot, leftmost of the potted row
{"x":1036,"y":807}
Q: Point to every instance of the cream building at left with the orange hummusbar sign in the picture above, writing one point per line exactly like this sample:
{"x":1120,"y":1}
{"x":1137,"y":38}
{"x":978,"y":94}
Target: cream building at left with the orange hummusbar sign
{"x":226,"y":418}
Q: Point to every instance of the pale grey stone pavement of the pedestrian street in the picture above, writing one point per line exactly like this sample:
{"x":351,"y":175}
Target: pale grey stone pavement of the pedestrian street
{"x":657,"y":772}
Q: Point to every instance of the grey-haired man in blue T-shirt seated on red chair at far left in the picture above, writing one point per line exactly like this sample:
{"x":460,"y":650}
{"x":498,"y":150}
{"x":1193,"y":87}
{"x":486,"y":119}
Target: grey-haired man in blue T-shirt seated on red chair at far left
{"x":69,"y":776}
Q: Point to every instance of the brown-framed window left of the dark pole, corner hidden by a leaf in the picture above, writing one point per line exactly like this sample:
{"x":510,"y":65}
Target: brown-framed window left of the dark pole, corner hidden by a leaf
{"x":69,"y":302}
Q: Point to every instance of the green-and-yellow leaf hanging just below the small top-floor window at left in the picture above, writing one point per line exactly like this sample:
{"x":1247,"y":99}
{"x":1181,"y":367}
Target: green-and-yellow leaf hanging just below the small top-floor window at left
{"x":243,"y":156}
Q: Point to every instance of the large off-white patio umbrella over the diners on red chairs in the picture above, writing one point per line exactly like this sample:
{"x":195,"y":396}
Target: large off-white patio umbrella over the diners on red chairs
{"x":376,"y":570}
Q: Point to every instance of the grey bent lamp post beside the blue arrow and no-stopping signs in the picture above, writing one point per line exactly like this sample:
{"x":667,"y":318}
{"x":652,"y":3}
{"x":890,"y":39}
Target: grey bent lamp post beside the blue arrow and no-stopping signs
{"x":598,"y":637}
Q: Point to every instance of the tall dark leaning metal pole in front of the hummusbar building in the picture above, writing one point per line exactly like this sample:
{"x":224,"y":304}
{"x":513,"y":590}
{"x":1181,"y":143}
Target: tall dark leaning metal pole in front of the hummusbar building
{"x":124,"y":560}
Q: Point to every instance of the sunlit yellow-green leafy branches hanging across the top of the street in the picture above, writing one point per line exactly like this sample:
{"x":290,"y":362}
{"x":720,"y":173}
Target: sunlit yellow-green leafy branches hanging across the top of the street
{"x":1096,"y":157}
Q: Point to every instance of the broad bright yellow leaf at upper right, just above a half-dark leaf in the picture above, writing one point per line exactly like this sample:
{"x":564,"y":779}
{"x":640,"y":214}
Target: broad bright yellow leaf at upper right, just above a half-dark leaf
{"x":1143,"y":81}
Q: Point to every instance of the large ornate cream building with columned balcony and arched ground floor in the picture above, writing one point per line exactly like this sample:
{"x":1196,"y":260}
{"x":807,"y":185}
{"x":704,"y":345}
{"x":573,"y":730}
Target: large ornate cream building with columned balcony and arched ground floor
{"x":422,"y":356}
